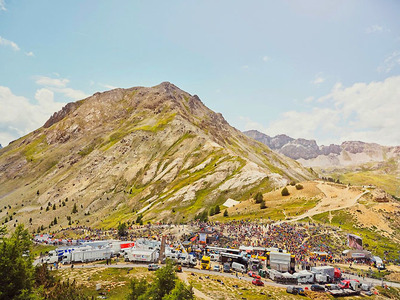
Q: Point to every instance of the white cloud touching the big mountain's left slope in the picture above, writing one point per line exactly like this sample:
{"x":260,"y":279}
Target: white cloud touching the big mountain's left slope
{"x":20,"y":116}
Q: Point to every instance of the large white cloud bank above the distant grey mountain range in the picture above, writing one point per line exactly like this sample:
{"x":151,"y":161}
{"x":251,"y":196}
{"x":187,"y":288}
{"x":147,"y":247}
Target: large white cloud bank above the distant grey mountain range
{"x":364,"y":111}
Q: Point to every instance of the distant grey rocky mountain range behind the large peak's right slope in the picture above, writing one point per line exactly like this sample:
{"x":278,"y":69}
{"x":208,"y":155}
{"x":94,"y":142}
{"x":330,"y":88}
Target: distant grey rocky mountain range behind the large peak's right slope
{"x":352,"y":161}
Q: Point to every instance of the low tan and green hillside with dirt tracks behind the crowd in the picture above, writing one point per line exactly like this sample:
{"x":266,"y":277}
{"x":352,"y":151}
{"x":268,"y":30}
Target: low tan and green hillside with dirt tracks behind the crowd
{"x":368,"y":212}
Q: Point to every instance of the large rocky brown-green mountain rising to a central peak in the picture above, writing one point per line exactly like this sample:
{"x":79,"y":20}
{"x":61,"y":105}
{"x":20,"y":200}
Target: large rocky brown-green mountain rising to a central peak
{"x":155,"y":151}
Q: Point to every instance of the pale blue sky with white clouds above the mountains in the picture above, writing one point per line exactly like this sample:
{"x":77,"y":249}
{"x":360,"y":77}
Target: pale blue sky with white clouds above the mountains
{"x":324,"y":70}
